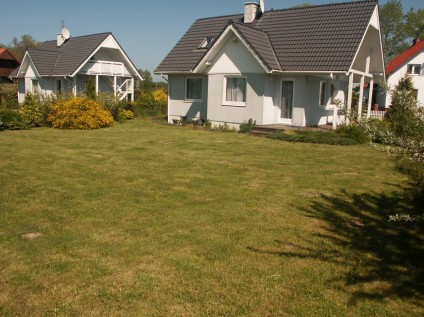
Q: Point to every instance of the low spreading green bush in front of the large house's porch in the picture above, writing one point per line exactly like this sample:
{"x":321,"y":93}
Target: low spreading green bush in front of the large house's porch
{"x":313,"y":137}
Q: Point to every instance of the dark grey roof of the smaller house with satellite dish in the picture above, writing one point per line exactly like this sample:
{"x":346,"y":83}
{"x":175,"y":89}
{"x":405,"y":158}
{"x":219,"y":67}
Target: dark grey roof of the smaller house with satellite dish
{"x":51,"y":60}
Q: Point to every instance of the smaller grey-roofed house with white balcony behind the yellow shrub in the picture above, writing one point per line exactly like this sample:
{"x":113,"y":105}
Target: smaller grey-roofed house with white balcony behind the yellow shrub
{"x":68,"y":63}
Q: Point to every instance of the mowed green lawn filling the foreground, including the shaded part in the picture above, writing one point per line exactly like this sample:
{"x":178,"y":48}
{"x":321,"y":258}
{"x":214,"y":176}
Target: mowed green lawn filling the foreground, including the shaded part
{"x":146,"y":219}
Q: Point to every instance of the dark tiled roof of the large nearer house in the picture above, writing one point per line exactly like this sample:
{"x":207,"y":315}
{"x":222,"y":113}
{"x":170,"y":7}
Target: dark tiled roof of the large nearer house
{"x":313,"y":38}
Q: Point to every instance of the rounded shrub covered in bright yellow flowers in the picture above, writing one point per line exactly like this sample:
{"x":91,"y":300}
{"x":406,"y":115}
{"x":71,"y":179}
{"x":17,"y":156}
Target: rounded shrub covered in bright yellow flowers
{"x":80,"y":114}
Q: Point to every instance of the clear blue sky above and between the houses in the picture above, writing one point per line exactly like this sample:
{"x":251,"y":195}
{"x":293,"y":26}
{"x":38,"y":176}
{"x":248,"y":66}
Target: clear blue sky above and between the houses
{"x":146,"y":30}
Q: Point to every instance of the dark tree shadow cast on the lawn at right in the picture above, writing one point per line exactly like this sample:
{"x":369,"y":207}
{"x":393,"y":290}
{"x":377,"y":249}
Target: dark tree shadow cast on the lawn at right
{"x":382,"y":258}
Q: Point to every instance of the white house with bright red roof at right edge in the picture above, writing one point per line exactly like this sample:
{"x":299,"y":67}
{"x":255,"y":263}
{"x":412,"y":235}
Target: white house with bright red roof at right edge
{"x":410,"y":62}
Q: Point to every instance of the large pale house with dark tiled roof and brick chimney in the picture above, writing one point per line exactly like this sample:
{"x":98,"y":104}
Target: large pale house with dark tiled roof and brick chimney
{"x":287,"y":66}
